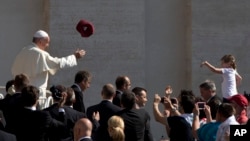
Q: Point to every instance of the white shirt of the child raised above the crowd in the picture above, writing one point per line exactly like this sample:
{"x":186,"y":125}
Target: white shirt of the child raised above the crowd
{"x":228,"y":86}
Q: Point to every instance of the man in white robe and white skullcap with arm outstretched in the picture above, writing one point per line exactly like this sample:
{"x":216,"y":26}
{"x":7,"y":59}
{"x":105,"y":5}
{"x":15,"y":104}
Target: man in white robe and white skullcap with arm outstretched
{"x":38,"y":64}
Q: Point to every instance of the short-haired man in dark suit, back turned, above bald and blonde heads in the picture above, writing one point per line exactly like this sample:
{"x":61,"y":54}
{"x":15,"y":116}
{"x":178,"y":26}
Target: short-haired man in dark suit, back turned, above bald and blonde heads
{"x":106,"y":109}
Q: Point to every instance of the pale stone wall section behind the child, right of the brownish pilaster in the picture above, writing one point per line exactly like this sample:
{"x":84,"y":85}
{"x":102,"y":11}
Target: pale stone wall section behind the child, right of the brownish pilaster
{"x":220,"y":28}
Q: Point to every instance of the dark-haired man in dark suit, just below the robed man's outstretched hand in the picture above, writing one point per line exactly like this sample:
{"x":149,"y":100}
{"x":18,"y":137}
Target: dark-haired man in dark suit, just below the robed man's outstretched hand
{"x":82,"y":82}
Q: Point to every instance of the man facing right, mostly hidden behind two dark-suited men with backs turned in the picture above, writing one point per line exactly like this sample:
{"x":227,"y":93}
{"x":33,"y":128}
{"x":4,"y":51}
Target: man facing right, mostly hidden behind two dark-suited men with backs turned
{"x":122,"y":83}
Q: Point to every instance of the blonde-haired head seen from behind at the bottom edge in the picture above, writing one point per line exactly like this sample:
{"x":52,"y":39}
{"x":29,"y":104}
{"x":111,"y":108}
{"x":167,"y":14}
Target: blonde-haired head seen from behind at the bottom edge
{"x":116,"y":128}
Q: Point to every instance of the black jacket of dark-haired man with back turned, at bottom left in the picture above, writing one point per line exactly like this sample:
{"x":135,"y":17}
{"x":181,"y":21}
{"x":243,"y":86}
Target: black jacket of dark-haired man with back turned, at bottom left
{"x":35,"y":125}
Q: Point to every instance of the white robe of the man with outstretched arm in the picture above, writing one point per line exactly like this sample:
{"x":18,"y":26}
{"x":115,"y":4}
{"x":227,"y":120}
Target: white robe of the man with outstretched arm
{"x":37,"y":64}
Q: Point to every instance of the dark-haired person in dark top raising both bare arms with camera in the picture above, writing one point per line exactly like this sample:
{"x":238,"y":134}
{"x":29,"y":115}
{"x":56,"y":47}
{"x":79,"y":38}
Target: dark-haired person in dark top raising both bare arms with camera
{"x":178,"y":123}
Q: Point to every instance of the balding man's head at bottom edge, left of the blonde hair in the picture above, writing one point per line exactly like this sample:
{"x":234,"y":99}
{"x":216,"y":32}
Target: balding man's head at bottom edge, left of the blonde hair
{"x":82,"y":130}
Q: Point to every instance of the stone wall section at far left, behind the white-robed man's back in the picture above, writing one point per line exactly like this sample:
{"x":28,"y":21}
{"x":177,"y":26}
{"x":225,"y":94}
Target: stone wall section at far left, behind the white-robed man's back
{"x":19,"y":20}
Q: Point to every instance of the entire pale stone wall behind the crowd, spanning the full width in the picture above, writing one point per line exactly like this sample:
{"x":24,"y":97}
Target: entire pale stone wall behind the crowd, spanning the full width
{"x":155,"y":42}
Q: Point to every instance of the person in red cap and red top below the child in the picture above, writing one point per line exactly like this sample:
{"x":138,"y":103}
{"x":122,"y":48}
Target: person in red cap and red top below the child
{"x":240,"y":104}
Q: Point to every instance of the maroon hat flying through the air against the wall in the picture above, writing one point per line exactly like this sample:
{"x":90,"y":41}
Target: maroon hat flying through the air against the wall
{"x":85,"y":28}
